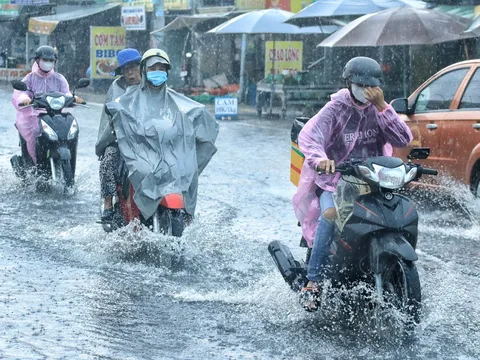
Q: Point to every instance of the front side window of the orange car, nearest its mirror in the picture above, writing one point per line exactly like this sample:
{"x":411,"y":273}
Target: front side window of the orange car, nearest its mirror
{"x":439,"y":93}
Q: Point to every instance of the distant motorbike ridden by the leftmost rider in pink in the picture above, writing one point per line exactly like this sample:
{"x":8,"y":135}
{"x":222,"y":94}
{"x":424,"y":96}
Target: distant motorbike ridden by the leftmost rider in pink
{"x":56,"y":146}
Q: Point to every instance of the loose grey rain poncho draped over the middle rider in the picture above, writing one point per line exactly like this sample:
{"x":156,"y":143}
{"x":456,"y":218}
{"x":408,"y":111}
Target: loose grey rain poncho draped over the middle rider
{"x":166,"y":140}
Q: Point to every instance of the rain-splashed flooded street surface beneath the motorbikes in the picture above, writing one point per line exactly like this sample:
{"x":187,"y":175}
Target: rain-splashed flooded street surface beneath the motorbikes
{"x":70,"y":291}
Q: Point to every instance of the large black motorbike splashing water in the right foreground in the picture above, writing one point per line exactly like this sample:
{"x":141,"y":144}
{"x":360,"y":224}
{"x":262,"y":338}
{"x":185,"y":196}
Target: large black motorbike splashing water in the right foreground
{"x":375,"y":236}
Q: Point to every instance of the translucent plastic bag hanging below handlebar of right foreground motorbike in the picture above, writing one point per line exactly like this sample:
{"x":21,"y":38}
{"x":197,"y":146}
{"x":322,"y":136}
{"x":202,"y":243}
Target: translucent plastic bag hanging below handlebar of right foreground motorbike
{"x":348,"y":189}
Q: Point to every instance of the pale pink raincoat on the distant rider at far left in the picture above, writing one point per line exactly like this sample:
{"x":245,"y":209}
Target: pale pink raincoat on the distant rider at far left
{"x":27,"y":119}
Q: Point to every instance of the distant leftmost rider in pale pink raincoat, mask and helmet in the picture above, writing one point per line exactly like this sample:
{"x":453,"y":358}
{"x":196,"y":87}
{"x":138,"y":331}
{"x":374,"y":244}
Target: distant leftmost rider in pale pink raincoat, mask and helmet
{"x":42,"y":79}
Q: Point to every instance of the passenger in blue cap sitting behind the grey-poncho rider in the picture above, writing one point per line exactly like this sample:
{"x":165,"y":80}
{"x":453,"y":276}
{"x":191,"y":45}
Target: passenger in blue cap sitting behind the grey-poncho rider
{"x":106,"y":147}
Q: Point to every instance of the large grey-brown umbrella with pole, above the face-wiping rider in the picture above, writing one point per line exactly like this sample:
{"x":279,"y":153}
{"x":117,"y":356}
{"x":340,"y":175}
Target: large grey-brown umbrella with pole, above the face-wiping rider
{"x":400,"y":26}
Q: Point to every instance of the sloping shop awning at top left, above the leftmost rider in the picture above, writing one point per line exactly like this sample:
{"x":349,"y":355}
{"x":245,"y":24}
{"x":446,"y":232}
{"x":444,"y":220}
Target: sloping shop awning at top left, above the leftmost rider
{"x":45,"y":25}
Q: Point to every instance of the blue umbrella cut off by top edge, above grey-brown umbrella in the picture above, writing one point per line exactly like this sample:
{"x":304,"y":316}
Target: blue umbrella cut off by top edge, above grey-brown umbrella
{"x":325,"y":10}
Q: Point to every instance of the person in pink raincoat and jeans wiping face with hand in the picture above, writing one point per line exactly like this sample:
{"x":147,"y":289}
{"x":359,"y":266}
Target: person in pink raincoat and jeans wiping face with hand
{"x":355,"y":124}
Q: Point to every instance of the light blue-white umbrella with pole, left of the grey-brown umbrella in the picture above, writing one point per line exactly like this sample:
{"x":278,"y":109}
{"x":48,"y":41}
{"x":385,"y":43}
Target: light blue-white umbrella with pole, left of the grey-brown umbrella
{"x":270,"y":21}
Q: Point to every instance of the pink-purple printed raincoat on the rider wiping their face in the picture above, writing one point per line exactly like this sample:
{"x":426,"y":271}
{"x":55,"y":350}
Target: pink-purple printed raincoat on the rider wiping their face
{"x":340,"y":131}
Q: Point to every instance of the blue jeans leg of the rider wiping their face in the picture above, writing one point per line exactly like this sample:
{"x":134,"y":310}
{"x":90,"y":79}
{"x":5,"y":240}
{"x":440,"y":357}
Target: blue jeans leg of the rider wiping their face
{"x":322,"y":241}
